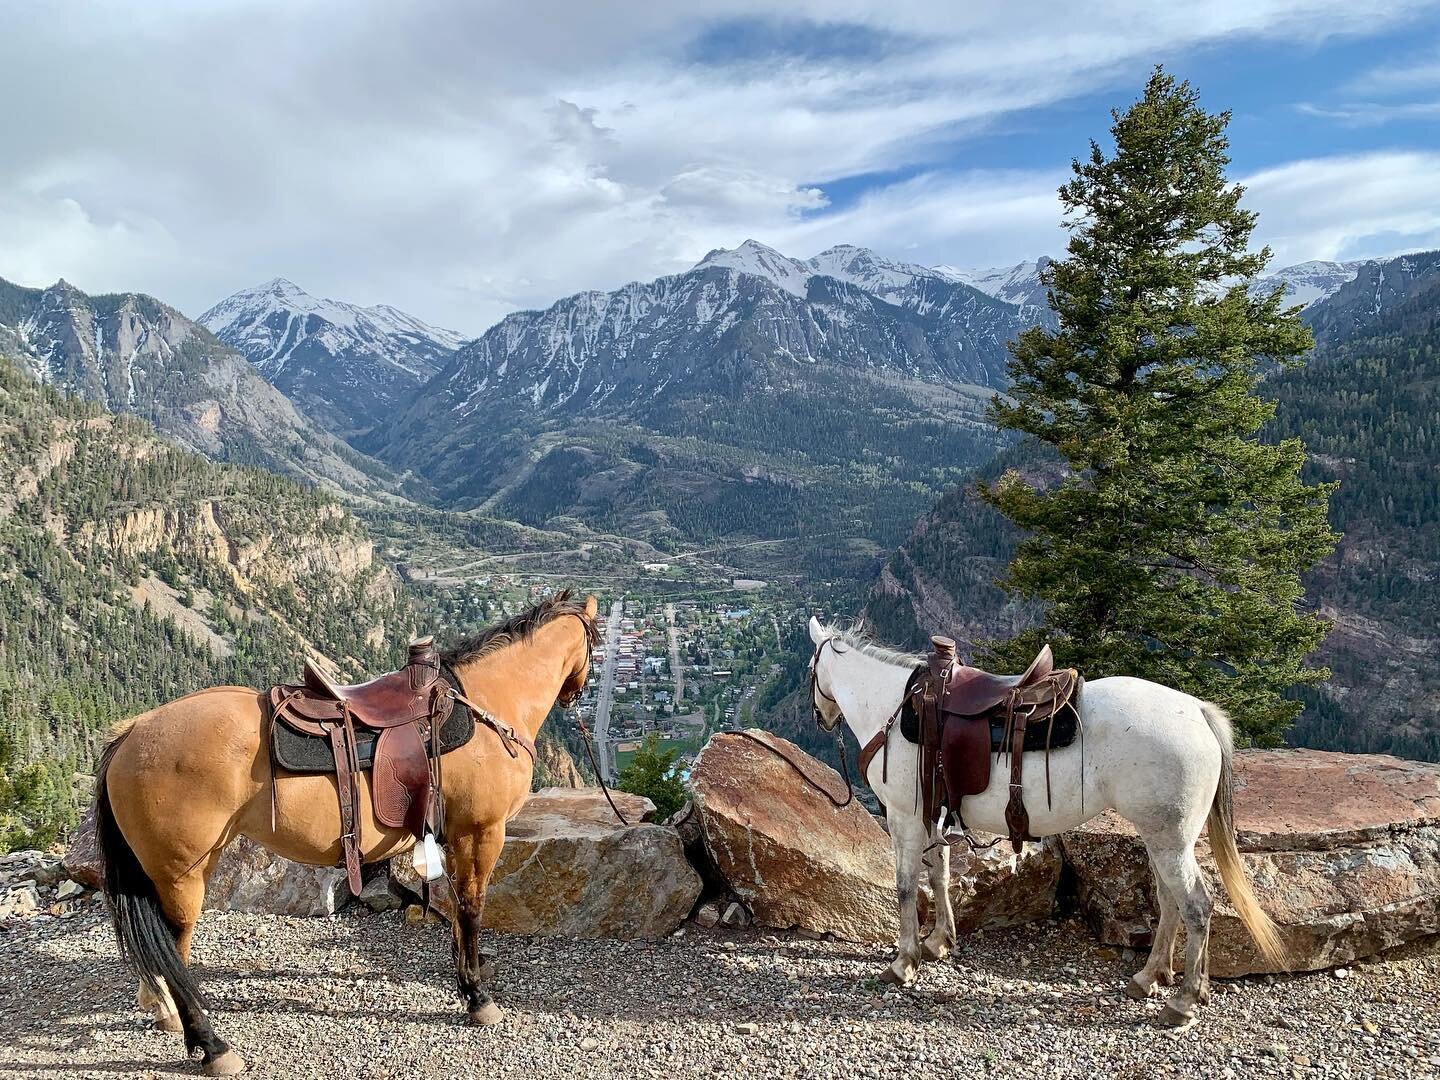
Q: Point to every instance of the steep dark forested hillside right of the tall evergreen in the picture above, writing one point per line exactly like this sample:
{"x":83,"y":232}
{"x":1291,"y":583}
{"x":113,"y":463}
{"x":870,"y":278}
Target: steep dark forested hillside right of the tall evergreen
{"x":1370,"y":413}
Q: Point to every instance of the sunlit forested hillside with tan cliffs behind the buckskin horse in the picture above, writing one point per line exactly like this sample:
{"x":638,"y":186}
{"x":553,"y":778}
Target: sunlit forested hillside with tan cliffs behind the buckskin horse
{"x":133,"y":572}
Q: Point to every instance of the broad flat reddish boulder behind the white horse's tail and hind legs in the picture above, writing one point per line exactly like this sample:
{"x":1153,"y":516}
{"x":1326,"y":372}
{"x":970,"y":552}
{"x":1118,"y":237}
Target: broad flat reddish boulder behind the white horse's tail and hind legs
{"x":1343,"y":850}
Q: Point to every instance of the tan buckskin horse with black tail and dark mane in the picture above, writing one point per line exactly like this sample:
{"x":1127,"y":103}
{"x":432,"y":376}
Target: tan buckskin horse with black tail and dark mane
{"x":181,"y":783}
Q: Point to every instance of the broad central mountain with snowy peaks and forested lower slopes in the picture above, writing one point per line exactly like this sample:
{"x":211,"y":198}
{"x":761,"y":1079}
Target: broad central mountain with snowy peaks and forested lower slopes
{"x":849,"y":341}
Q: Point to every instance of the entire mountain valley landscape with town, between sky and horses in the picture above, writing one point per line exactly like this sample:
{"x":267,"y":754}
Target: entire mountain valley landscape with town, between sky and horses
{"x":715,"y":456}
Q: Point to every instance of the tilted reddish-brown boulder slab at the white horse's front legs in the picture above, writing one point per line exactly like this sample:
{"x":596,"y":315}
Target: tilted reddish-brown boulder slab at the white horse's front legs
{"x":798,"y":862}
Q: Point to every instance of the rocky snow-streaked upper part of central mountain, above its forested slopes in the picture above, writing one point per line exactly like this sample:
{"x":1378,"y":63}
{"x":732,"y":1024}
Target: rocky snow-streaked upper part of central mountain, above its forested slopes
{"x":738,"y":320}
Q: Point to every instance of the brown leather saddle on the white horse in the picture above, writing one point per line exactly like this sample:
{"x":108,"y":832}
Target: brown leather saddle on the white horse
{"x":968,"y":715}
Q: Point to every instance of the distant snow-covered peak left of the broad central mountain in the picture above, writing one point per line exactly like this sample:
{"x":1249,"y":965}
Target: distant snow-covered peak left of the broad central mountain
{"x":346,"y":365}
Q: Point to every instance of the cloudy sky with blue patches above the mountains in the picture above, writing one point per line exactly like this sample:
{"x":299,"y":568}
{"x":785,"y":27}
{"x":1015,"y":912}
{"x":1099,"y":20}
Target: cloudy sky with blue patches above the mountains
{"x":466,"y":161}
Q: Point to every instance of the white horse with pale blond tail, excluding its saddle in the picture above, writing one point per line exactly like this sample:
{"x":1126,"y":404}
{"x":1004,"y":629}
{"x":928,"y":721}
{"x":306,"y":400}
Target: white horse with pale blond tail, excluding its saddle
{"x":1160,"y":758}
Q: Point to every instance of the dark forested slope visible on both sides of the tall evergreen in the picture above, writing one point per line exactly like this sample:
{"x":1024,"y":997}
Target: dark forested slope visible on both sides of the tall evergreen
{"x":1366,"y":407}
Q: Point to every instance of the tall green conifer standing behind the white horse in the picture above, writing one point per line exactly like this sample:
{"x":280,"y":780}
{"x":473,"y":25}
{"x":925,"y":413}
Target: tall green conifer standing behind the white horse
{"x":1174,"y":546}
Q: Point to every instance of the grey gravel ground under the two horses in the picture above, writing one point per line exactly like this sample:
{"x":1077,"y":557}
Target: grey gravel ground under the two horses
{"x":371,"y":997}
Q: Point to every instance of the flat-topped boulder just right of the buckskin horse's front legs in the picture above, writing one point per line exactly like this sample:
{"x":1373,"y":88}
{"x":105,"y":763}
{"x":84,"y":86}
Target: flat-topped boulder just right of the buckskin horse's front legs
{"x":570,"y":869}
